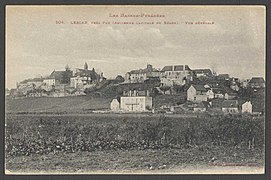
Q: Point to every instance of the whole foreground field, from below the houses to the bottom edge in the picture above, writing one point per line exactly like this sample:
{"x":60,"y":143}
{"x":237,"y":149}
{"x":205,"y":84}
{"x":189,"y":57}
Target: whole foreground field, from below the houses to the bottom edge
{"x":100,"y":143}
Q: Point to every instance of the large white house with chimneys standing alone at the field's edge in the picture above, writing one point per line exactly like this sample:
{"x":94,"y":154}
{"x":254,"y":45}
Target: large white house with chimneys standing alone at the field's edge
{"x":136,"y":101}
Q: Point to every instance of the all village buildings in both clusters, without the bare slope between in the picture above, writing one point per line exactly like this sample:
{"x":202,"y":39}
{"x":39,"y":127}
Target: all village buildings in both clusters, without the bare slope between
{"x":213,"y":95}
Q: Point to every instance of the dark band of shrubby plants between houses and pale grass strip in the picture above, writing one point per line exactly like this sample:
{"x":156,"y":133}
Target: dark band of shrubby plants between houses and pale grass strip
{"x":26,"y":135}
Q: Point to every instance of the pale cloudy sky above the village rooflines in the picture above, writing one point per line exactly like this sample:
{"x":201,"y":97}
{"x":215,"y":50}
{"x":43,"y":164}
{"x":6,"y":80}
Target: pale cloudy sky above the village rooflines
{"x":36,"y":45}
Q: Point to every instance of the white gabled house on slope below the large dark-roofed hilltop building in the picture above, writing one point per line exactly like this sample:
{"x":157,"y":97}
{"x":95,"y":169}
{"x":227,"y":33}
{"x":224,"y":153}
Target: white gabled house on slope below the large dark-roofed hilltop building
{"x":197,"y":93}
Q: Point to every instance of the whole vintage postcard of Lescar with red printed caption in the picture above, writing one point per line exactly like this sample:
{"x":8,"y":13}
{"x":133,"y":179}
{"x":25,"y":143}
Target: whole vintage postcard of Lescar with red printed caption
{"x":135,"y":89}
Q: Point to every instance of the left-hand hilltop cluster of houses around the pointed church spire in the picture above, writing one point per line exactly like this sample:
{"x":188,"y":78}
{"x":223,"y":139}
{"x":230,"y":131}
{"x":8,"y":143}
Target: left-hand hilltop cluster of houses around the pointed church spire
{"x":59,"y":83}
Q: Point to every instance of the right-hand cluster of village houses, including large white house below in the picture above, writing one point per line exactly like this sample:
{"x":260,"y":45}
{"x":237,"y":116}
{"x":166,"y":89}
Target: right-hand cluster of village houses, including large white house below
{"x":200,"y":97}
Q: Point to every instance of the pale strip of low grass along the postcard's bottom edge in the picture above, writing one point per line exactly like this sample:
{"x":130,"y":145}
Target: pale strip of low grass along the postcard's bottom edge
{"x":190,"y":160}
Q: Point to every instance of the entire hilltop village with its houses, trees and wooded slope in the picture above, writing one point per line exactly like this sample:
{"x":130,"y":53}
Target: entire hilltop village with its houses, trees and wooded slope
{"x":171,"y":89}
